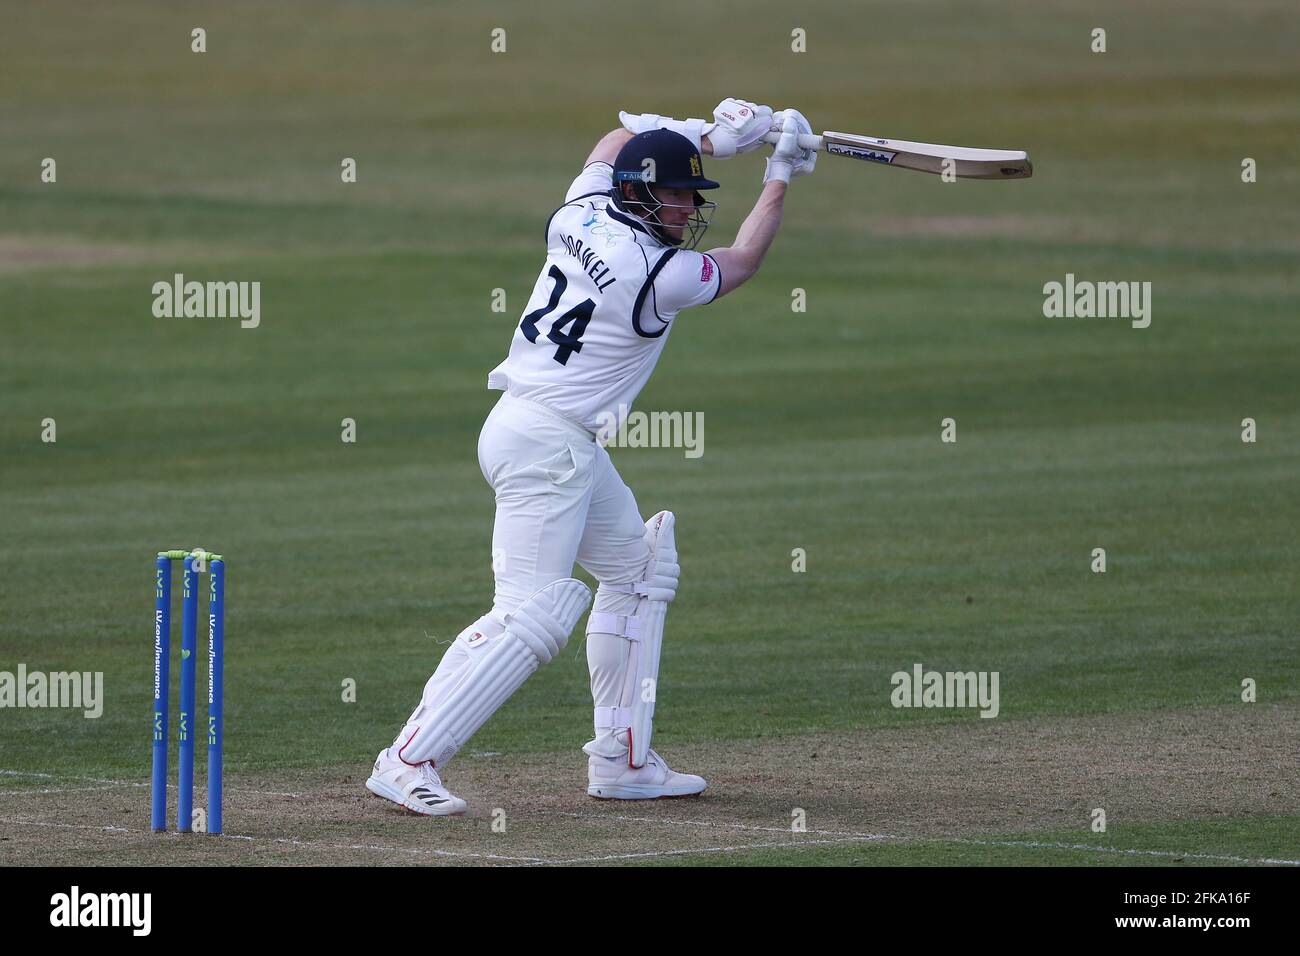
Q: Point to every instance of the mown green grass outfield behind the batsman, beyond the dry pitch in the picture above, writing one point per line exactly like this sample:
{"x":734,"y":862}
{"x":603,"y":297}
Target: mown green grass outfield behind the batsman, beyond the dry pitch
{"x":822,"y":429}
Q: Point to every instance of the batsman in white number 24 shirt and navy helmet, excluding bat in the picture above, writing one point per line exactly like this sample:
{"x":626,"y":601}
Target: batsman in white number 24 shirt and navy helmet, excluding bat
{"x":621,"y":265}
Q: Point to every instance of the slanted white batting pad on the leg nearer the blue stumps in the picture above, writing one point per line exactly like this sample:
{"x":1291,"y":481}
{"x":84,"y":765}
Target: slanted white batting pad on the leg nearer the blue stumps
{"x":488,"y":669}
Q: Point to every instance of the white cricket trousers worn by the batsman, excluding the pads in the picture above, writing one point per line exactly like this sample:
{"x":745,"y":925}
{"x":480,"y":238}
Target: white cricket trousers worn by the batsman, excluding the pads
{"x":560,"y":501}
